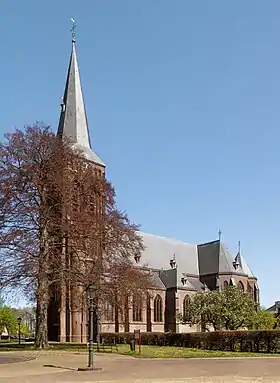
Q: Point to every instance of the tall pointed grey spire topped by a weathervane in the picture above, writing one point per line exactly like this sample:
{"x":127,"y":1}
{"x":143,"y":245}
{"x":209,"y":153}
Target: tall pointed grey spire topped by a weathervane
{"x":73,"y":120}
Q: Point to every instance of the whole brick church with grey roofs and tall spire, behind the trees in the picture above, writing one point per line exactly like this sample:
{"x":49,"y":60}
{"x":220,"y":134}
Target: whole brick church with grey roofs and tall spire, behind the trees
{"x":178,"y":269}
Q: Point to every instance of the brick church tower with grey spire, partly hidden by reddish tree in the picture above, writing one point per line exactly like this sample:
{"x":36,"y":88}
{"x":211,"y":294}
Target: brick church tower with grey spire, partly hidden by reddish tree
{"x":65,"y":321}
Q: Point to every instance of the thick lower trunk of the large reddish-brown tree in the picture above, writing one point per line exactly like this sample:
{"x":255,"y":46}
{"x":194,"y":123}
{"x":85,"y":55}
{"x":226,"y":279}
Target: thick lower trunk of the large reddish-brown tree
{"x":41,"y":340}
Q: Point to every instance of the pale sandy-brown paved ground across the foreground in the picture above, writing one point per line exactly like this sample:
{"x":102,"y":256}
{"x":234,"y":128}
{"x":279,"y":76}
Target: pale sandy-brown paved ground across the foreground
{"x":125,"y":369}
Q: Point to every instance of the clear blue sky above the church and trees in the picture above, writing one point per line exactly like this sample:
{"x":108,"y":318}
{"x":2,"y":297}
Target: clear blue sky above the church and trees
{"x":183,"y":101}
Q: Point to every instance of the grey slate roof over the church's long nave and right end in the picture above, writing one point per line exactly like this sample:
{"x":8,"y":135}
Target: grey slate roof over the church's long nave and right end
{"x":192,"y":261}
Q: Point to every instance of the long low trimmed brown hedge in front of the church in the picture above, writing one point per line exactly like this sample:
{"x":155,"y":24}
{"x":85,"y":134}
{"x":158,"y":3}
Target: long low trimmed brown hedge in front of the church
{"x":244,"y":341}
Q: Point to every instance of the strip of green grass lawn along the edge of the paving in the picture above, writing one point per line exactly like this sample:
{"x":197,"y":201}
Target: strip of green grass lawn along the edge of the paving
{"x":146,"y":351}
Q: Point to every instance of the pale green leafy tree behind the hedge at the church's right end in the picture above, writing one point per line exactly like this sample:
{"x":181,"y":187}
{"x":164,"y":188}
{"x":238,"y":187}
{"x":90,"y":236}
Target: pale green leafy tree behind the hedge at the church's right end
{"x":230,"y":309}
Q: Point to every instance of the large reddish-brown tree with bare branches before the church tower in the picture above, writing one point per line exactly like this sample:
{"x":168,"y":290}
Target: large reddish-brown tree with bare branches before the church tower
{"x":59,"y":225}
